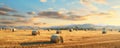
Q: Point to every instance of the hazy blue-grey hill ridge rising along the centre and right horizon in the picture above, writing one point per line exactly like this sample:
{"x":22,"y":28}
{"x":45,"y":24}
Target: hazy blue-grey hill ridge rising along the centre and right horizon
{"x":84,"y":26}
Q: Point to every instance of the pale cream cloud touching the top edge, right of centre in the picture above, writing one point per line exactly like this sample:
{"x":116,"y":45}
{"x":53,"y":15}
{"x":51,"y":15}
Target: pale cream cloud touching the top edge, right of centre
{"x":89,"y":4}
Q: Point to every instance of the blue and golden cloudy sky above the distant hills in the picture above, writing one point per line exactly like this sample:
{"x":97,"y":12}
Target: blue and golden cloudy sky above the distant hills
{"x":59,"y":12}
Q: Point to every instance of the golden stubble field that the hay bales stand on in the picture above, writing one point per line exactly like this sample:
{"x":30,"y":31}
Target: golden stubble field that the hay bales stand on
{"x":75,"y":39}
